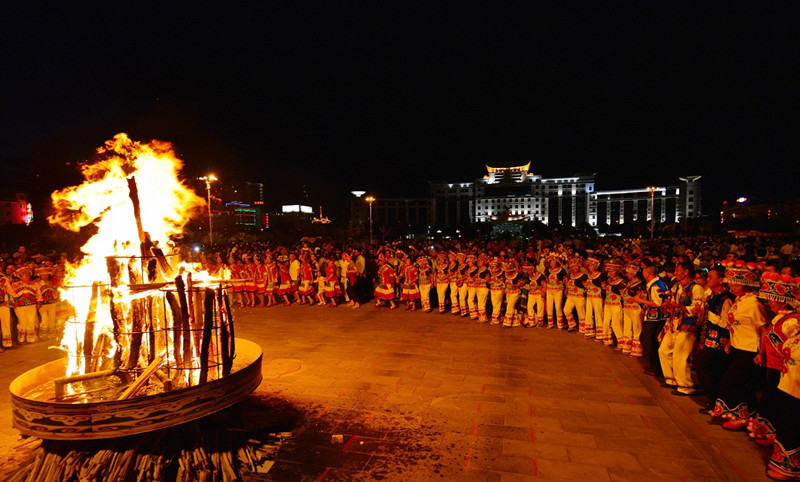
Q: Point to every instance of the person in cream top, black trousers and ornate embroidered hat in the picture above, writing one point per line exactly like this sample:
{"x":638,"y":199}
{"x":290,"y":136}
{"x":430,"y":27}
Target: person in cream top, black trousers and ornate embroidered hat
{"x":747,"y":318}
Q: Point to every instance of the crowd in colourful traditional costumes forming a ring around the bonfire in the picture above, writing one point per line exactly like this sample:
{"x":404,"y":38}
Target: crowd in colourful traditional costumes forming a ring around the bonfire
{"x":709,"y":319}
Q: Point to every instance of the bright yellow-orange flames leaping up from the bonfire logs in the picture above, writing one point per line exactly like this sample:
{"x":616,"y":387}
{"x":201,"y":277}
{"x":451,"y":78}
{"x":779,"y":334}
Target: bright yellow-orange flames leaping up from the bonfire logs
{"x":104,"y":200}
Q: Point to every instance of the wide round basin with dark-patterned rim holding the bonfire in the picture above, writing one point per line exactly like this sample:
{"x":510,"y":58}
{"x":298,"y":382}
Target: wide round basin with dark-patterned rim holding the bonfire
{"x":118,"y":418}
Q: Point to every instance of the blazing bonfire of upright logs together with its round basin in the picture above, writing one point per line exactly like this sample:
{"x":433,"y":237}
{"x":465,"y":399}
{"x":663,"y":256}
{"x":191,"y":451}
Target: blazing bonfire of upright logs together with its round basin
{"x":151,"y":340}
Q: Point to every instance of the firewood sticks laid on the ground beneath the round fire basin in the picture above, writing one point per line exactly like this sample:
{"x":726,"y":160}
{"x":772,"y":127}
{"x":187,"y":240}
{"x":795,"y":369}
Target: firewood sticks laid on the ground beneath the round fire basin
{"x":216,"y":448}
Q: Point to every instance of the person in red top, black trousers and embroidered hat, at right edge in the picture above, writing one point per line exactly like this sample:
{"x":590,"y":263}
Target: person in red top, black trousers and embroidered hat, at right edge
{"x":777,"y":291}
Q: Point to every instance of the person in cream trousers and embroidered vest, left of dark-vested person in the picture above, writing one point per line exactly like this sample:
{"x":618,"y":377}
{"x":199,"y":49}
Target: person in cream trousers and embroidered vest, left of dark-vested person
{"x":687,"y":306}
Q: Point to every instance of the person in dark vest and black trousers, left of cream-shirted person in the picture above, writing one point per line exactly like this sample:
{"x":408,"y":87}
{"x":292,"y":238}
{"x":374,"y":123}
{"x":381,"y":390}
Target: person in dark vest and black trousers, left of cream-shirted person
{"x":713,"y":359}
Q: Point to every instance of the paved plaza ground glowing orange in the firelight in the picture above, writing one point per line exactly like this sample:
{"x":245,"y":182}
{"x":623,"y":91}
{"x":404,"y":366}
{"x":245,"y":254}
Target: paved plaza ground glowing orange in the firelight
{"x":418,"y":396}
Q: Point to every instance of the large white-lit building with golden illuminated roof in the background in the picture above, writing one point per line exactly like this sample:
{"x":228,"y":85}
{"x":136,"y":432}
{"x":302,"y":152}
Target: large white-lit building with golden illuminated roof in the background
{"x":513,"y":195}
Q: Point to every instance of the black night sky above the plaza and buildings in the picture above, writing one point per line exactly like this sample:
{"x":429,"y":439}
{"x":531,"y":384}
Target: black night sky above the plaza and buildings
{"x":386,"y":96}
